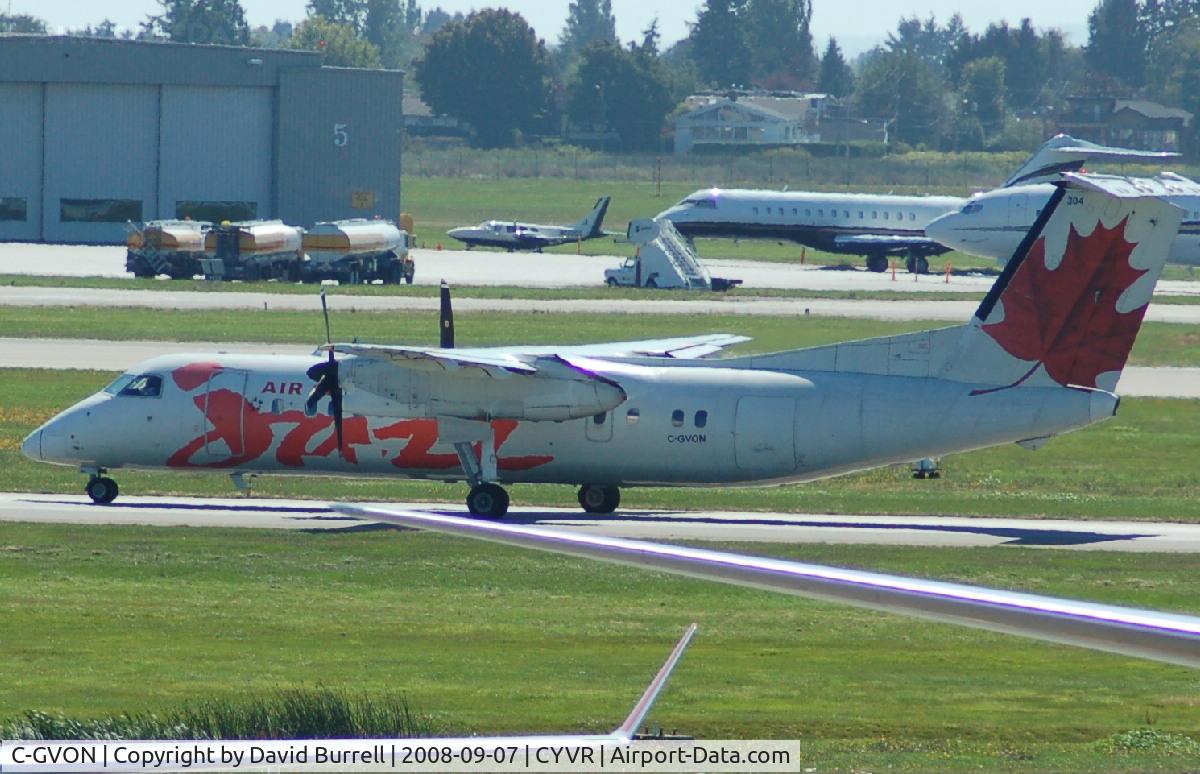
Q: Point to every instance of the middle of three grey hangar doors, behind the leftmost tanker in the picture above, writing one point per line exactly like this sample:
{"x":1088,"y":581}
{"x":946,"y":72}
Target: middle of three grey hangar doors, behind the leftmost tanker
{"x":101,"y":160}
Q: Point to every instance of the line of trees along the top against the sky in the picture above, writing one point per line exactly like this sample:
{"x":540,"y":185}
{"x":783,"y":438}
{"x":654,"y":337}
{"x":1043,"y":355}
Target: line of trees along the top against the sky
{"x":932,"y":83}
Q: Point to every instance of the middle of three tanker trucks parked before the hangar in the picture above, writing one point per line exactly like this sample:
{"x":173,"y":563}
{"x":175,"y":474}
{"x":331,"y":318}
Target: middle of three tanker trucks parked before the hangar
{"x":254,"y":250}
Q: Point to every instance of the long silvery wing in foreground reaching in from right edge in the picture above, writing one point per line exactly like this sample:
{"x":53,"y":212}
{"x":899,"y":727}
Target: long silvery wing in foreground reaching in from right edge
{"x":1145,"y":634}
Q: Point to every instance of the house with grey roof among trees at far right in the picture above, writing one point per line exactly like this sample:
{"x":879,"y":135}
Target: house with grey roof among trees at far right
{"x":1138,"y":124}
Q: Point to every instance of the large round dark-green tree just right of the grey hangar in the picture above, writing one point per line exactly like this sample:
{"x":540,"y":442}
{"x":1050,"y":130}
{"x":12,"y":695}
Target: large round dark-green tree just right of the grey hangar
{"x":490,"y":71}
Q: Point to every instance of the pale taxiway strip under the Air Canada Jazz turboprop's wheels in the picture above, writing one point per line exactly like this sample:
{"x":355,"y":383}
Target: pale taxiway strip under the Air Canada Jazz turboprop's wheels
{"x":663,"y":526}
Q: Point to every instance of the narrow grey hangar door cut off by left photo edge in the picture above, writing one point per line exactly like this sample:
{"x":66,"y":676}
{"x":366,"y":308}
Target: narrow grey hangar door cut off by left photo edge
{"x":21,"y":161}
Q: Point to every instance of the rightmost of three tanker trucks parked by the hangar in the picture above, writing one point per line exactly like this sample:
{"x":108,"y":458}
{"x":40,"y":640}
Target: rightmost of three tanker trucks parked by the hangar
{"x":358,"y":251}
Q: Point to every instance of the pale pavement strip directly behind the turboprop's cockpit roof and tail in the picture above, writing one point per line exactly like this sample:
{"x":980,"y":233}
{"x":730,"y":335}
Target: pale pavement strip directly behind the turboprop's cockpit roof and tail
{"x":118,"y":356}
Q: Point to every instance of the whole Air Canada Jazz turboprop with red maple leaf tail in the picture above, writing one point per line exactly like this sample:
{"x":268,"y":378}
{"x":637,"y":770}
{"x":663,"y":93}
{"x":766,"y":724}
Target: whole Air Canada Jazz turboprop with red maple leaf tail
{"x":1041,"y":357}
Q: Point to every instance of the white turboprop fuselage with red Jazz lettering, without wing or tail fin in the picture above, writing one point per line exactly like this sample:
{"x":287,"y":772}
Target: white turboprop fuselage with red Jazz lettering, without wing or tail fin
{"x":680,"y":425}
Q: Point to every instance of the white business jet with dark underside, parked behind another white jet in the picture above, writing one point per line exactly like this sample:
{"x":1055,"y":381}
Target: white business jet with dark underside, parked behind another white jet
{"x":873,"y":225}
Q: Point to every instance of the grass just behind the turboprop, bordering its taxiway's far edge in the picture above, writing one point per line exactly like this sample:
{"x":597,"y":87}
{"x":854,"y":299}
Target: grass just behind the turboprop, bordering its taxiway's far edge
{"x":1136,"y":466}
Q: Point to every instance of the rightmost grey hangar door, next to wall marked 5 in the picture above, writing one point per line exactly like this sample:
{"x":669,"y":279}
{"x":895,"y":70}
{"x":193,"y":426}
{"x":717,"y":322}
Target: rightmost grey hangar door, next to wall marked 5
{"x":217,"y":154}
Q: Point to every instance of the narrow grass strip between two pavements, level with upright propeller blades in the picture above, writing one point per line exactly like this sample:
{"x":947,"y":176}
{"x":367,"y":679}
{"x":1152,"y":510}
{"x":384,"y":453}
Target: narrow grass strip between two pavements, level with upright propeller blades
{"x":1159,"y":344}
